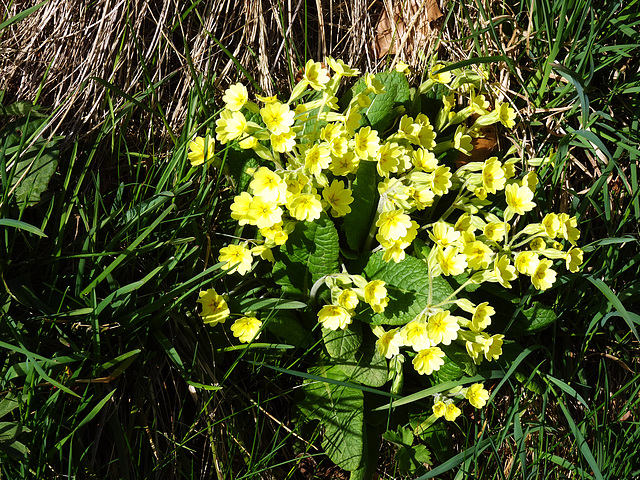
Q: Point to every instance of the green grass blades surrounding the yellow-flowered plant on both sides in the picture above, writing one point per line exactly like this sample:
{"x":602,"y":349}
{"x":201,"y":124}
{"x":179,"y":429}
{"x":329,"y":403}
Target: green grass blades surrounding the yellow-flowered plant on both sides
{"x":107,"y":371}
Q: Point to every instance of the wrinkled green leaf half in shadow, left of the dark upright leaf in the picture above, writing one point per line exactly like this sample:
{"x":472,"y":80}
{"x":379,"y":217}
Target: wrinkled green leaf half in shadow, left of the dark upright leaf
{"x":310,"y":253}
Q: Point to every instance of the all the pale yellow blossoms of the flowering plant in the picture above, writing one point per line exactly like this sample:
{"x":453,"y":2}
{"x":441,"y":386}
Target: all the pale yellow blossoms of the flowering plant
{"x":314,"y":149}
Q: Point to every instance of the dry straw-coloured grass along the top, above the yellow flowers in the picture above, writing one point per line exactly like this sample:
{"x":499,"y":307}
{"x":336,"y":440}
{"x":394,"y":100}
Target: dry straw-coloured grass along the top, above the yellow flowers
{"x":51,"y":56}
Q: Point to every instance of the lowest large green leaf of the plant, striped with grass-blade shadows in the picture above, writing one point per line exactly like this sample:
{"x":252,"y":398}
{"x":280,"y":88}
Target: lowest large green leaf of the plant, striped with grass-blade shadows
{"x":340,"y":411}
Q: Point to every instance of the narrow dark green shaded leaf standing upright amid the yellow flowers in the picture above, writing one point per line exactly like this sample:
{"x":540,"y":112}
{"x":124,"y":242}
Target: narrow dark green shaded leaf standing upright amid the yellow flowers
{"x":365,"y":199}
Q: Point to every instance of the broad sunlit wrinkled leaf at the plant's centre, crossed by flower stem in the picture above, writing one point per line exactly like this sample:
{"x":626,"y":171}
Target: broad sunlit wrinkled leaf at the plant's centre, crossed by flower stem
{"x":407,"y":288}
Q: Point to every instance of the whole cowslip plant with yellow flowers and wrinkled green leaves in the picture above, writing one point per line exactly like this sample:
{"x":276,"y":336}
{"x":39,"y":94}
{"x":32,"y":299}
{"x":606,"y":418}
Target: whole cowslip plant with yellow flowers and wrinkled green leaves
{"x":360,"y":207}
